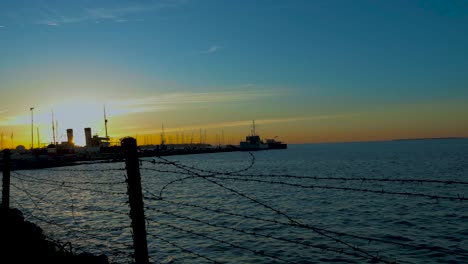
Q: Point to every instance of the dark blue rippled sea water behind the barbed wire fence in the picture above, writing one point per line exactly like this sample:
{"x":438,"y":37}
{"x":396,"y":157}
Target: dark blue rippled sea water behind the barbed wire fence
{"x":89,"y":208}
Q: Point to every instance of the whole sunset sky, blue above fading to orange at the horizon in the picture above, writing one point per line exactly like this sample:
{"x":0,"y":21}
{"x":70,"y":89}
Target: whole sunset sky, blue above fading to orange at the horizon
{"x":305,"y":71}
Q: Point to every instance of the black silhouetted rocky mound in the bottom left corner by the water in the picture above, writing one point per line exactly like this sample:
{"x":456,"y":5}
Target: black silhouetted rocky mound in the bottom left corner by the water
{"x":24,"y":242}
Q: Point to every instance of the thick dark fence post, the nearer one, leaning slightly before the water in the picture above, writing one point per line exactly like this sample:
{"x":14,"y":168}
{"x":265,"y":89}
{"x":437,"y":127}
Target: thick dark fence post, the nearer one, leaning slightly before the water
{"x":137,"y":213}
